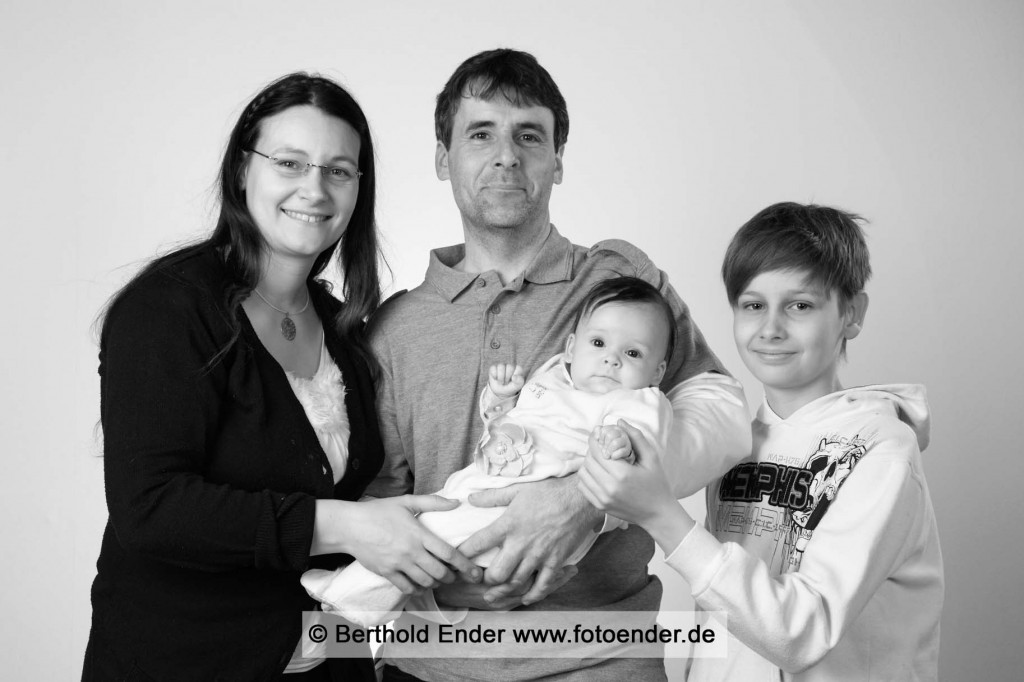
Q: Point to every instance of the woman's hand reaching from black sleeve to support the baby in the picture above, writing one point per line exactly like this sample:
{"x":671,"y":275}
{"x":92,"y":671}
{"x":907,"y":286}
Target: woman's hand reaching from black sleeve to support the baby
{"x":385,"y":537}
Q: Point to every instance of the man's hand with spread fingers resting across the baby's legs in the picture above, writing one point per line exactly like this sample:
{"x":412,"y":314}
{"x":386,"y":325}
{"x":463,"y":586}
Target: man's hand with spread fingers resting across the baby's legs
{"x":545,"y":523}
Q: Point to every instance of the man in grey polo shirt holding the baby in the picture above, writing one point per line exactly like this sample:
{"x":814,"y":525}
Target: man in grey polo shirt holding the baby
{"x":508,"y":295}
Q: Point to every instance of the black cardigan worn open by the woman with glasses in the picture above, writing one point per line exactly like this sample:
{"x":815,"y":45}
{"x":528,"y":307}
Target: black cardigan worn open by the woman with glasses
{"x":211,"y":475}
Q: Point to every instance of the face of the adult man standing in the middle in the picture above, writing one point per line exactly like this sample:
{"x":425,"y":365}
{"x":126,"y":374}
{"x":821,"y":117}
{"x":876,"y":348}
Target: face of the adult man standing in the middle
{"x":502,"y":163}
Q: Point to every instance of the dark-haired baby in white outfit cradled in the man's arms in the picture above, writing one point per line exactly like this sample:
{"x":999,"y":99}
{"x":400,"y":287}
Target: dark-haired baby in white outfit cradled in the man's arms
{"x":610,"y":371}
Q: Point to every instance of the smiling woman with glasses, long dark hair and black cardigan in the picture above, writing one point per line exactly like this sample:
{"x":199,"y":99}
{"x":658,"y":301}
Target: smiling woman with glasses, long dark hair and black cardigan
{"x":240,"y":431}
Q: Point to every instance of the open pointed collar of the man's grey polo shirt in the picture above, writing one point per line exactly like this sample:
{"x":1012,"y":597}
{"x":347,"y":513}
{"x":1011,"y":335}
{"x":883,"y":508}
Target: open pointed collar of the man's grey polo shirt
{"x":552,"y":264}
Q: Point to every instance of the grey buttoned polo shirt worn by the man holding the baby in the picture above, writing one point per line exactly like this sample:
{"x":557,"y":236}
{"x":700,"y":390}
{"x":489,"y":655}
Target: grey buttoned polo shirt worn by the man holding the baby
{"x":436,"y":345}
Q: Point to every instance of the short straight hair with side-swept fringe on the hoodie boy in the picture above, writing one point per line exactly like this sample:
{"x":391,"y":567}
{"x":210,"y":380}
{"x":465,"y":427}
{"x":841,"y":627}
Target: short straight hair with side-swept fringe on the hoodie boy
{"x":827,"y":243}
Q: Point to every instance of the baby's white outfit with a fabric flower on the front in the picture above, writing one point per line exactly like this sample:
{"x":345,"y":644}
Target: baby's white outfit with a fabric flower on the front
{"x":544,"y":436}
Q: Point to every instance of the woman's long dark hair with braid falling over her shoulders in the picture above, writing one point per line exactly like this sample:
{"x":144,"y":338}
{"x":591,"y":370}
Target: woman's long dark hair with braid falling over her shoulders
{"x":240,"y":242}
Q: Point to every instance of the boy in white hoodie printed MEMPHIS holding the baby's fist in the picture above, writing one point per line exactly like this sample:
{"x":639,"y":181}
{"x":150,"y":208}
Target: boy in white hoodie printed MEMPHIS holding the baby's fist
{"x":822,"y":547}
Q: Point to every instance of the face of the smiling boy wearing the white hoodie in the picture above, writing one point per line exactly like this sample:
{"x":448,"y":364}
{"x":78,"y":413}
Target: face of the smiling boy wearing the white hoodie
{"x":790,"y":333}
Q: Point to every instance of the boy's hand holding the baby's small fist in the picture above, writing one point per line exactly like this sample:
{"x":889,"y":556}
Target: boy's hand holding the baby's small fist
{"x":636,"y":493}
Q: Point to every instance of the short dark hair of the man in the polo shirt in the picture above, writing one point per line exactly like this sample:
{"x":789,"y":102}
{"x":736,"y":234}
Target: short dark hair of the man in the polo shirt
{"x":515,"y":75}
